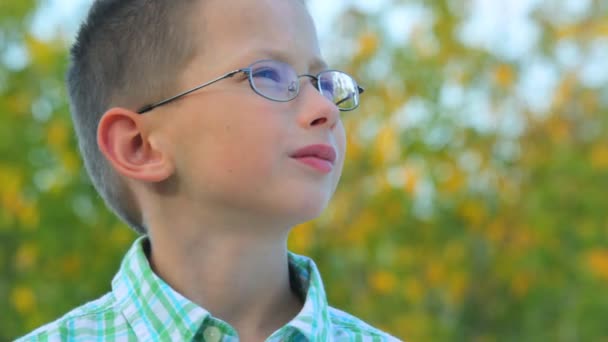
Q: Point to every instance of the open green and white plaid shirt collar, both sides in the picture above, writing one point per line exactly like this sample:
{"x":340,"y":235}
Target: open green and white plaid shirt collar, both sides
{"x":154,"y":310}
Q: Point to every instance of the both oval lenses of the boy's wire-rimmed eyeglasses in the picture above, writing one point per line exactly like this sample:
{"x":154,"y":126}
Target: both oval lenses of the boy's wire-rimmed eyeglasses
{"x":278,"y":81}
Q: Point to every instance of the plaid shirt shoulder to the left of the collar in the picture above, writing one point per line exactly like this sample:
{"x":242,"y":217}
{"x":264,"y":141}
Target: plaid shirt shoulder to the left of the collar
{"x":92,"y":319}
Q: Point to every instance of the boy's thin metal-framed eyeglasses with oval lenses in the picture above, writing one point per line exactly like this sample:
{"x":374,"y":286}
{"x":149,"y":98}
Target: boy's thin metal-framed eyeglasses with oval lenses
{"x":278,"y":81}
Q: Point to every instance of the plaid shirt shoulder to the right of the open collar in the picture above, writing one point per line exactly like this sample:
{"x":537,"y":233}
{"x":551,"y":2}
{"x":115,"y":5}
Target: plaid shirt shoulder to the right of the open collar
{"x":346,"y":325}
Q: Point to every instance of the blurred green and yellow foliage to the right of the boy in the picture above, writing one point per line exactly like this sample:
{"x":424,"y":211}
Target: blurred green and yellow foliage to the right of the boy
{"x":472,"y":205}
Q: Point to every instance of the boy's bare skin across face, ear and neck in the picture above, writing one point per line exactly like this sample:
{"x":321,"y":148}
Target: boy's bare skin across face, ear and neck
{"x":212,"y":172}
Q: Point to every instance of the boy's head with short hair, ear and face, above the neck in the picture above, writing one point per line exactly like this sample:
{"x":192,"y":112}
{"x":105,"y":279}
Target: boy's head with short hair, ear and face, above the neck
{"x":224,"y":149}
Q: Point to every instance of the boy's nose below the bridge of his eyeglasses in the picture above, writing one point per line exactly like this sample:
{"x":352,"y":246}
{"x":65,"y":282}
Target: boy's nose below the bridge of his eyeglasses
{"x":316,"y":110}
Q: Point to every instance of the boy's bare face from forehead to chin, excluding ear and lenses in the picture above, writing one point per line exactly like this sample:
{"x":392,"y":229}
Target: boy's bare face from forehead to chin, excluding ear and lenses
{"x":231,"y":147}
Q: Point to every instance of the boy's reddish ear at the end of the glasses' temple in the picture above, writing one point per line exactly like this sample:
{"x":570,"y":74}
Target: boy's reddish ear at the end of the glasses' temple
{"x":122,"y":139}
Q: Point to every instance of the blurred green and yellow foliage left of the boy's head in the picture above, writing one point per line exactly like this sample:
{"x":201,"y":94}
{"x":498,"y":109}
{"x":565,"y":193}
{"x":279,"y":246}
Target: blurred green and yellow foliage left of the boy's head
{"x":59,"y":246}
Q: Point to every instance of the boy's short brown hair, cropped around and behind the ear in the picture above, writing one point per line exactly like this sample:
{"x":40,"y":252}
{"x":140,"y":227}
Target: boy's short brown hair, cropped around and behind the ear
{"x":127,"y":53}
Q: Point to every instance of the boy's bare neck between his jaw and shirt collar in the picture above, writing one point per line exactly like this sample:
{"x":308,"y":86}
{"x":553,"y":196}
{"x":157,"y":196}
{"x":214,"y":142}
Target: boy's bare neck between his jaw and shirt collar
{"x":239,"y":275}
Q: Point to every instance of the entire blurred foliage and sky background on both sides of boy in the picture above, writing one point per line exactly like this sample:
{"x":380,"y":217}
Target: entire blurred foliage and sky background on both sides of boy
{"x":473,"y":201}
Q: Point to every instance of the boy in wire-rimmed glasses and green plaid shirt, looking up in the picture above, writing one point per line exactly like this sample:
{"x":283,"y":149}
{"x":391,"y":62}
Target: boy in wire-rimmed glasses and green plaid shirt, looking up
{"x":213,"y":177}
